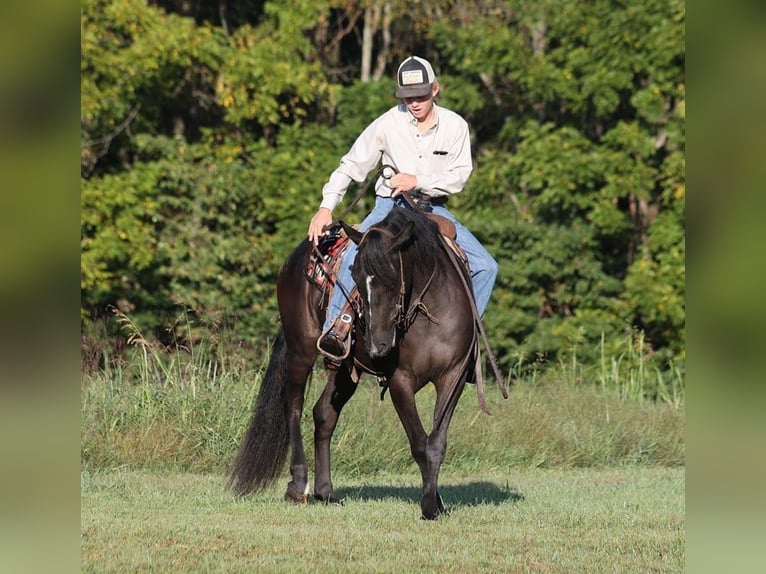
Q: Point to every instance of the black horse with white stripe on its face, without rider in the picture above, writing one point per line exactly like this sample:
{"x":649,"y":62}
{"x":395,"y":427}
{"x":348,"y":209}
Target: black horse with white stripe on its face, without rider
{"x":416,"y":326}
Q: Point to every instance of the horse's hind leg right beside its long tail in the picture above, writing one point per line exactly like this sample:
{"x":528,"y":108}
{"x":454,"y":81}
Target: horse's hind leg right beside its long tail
{"x":298,"y":487}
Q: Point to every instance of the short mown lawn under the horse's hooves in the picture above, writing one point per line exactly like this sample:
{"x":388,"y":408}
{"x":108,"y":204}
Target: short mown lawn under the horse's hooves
{"x":520,"y":520}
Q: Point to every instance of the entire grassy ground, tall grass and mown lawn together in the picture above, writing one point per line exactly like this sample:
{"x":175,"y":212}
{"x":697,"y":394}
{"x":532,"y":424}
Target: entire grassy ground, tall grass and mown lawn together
{"x":580,"y":470}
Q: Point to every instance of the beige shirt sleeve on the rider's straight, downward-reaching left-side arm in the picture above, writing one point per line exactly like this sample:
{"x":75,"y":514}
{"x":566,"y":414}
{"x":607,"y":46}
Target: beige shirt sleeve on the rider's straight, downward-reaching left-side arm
{"x":364,"y":155}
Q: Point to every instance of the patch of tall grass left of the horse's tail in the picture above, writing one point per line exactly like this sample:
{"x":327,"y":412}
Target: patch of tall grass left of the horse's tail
{"x":177,"y":408}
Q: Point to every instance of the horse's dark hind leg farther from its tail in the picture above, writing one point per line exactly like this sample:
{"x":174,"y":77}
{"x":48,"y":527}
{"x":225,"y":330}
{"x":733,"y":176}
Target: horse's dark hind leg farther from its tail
{"x":338,"y":390}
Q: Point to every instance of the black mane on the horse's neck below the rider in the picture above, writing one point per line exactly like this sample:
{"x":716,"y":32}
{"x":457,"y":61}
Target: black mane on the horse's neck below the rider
{"x":422,"y":248}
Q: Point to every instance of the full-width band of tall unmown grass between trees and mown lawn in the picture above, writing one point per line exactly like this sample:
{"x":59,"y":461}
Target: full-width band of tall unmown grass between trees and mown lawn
{"x":186,"y":407}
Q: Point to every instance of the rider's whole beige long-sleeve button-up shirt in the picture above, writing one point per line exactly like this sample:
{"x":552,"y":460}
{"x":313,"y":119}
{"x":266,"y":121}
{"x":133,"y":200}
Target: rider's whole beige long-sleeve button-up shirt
{"x":440,"y":158}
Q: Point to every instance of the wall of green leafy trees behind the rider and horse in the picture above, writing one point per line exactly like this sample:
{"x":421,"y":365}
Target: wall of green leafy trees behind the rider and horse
{"x":208,"y":133}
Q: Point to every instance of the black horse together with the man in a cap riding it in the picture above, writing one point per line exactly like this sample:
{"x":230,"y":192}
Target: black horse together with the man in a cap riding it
{"x":419,"y":320}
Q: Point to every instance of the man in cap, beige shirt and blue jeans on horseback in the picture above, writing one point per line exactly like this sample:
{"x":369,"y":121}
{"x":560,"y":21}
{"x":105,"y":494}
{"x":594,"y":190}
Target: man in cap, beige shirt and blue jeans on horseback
{"x":430,"y":148}
